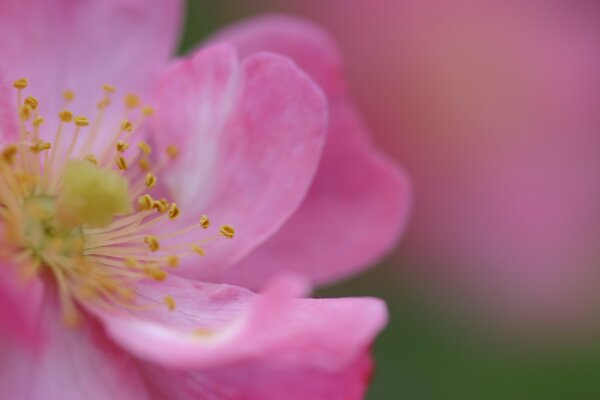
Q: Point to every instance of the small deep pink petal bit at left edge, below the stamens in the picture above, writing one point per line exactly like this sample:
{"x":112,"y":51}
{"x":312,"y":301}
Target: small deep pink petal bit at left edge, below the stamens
{"x":20,"y":310}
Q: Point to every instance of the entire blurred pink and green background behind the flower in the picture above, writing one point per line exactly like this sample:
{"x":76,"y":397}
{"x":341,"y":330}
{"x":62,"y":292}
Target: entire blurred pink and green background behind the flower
{"x":493,"y":107}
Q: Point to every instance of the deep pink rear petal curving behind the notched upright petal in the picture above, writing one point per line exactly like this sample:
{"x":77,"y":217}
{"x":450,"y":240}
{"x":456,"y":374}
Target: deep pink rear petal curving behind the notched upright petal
{"x":359,"y":201}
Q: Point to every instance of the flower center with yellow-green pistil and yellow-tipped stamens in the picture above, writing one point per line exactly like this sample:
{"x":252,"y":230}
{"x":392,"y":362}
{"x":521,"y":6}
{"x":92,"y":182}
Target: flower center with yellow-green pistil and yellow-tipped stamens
{"x":80,"y":212}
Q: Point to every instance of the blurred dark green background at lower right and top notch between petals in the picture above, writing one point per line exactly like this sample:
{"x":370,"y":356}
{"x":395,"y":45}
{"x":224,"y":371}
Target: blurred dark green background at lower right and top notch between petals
{"x":424,"y":354}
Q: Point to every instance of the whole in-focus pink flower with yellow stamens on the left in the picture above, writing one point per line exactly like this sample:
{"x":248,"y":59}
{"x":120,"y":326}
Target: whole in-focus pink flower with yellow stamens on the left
{"x":127,"y":224}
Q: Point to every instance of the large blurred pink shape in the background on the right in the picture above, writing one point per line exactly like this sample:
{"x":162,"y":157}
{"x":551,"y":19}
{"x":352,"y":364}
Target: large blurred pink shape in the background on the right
{"x":494,"y":109}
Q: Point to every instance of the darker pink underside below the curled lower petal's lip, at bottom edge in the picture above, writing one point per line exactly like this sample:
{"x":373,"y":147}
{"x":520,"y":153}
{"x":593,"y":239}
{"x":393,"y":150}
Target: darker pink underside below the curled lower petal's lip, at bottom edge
{"x":262,"y":379}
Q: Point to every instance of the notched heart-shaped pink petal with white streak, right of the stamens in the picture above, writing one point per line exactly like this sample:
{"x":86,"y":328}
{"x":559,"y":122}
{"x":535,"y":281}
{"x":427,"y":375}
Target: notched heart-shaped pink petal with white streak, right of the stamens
{"x":250,"y":135}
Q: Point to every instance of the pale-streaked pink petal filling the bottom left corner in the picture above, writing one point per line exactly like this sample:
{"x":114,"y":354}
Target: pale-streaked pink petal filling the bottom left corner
{"x":77,"y":363}
